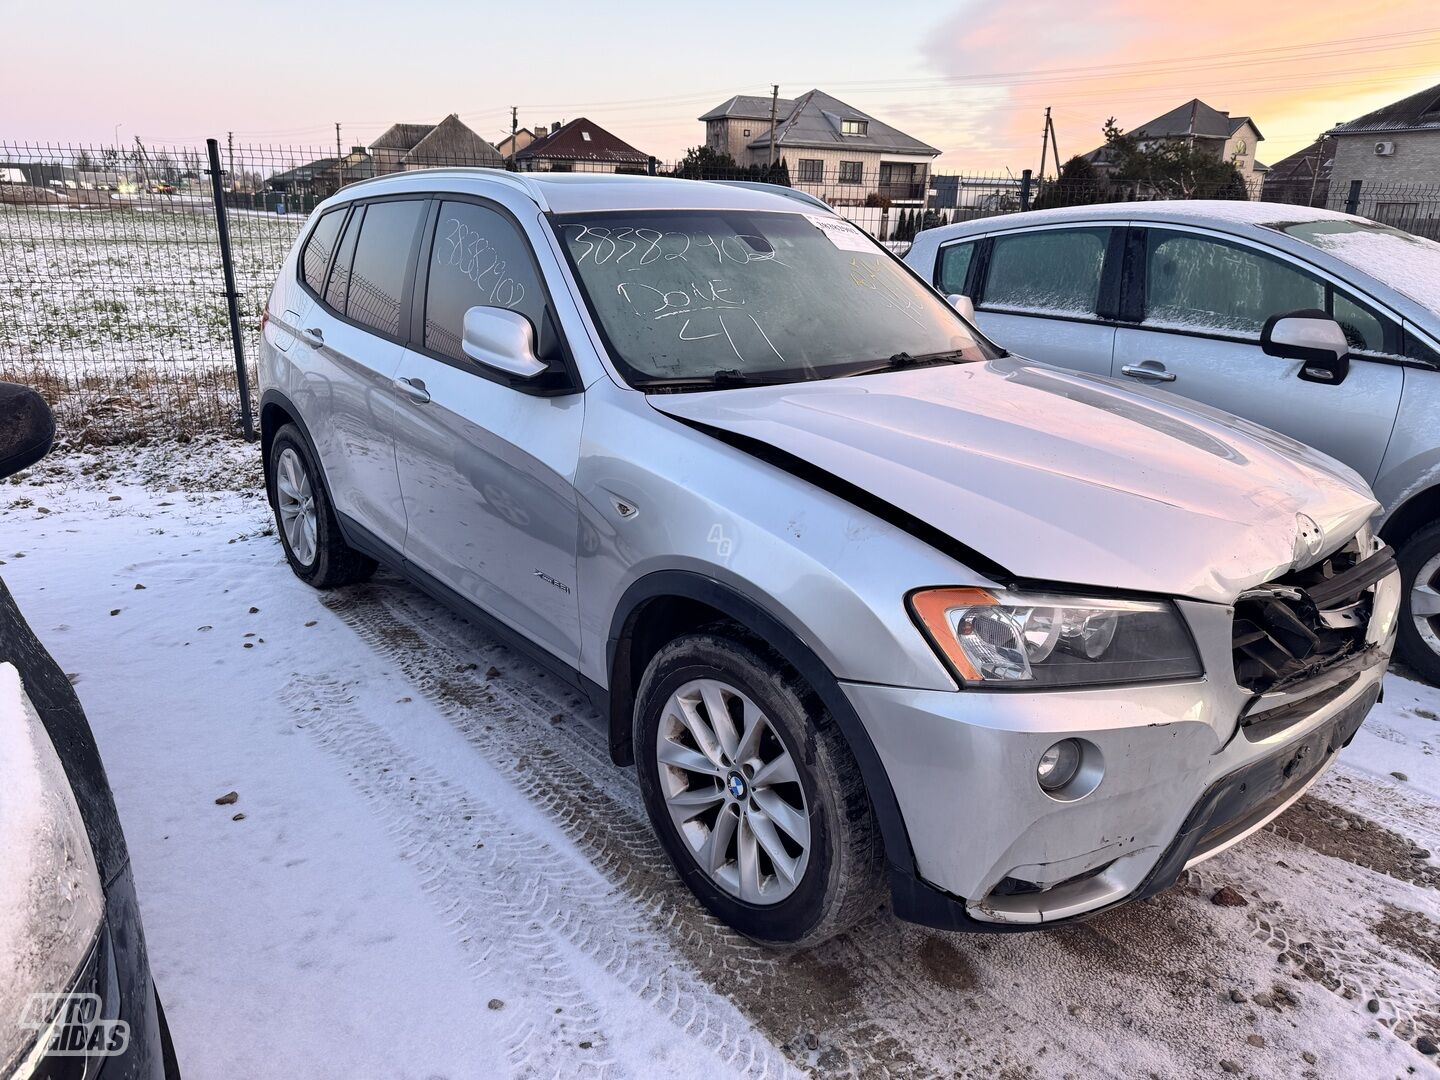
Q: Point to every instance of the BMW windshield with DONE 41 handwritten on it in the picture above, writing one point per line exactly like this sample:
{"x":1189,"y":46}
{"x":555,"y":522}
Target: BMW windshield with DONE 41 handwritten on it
{"x":729,"y":297}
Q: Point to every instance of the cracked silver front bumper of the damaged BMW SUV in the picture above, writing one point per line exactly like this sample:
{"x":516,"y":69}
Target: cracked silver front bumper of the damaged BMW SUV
{"x":1189,"y":770}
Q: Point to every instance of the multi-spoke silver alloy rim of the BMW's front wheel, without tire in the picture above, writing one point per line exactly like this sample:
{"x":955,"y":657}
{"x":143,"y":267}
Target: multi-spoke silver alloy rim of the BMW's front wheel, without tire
{"x":734,"y":791}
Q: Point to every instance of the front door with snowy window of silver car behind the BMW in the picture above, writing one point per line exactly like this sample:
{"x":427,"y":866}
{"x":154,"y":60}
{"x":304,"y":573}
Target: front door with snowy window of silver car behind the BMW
{"x":1202,"y":302}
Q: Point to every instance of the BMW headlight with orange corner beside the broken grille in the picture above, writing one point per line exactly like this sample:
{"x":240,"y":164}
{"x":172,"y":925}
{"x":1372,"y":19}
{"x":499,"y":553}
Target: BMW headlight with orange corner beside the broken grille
{"x":1009,"y":640}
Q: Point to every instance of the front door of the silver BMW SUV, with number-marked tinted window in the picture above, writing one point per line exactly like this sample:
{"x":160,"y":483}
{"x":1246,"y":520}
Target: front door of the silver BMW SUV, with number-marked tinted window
{"x":487,"y":466}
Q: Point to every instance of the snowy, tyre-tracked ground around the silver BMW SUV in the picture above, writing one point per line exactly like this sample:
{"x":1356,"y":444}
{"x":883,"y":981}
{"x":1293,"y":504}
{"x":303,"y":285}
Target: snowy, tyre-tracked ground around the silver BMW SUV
{"x":431,"y":869}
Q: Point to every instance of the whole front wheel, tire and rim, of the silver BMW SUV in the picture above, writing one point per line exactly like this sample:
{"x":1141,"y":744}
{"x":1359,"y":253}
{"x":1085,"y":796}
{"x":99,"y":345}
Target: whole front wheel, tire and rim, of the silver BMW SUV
{"x":754,"y":794}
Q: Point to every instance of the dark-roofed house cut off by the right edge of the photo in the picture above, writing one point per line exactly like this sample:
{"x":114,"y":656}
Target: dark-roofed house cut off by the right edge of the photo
{"x":1395,"y":145}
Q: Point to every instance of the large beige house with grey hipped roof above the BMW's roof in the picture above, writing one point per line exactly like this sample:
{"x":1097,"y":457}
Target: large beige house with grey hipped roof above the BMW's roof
{"x":832,"y":149}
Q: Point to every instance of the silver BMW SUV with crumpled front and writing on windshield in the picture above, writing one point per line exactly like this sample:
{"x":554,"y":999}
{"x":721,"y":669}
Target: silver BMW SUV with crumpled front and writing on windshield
{"x":868,"y":603}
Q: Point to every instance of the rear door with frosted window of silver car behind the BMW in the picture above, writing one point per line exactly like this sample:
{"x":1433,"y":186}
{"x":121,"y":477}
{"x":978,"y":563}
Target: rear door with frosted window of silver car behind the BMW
{"x":1045,"y":293}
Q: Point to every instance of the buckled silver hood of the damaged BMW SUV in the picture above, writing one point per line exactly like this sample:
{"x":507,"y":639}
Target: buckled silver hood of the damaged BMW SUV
{"x":1058,"y":476}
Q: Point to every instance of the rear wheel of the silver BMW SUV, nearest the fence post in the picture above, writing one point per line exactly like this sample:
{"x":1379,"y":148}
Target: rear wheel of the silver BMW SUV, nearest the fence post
{"x":307,"y":525}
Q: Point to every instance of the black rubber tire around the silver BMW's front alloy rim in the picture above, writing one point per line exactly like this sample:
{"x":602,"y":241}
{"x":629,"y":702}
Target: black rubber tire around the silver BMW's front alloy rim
{"x":845,"y":878}
